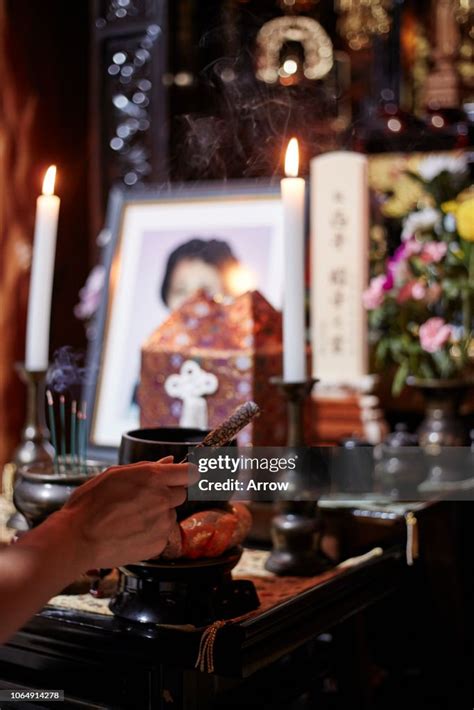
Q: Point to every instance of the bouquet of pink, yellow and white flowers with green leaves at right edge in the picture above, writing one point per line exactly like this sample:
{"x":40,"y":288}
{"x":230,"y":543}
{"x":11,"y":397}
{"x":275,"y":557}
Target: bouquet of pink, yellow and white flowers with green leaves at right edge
{"x":421,"y":298}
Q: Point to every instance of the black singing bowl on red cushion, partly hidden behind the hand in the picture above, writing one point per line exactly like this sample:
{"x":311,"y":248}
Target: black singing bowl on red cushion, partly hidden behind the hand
{"x":154,"y":444}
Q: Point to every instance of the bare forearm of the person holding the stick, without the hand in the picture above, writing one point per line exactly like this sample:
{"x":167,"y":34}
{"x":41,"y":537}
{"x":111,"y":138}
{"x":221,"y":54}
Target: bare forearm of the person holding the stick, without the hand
{"x":36,"y":568}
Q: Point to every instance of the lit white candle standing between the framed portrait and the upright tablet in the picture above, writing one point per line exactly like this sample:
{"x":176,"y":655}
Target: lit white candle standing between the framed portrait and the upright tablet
{"x":294,"y":339}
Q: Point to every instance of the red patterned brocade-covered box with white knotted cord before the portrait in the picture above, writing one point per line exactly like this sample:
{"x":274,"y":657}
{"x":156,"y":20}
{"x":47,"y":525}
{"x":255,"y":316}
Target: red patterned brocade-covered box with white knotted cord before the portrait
{"x":239,"y":343}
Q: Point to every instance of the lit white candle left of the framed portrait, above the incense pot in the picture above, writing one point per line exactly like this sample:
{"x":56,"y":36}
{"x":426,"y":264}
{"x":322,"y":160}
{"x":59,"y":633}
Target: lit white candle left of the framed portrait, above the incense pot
{"x":42,"y":272}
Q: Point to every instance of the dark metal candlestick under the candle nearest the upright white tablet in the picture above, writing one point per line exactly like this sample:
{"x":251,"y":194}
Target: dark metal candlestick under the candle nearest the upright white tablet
{"x":295,"y":529}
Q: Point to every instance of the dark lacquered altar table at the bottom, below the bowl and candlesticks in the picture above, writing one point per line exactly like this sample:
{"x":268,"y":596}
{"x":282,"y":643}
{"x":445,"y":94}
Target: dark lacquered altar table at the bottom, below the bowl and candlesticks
{"x":309,"y":650}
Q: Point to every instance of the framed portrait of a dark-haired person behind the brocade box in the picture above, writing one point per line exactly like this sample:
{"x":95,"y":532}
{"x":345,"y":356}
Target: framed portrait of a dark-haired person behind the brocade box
{"x":162,"y":246}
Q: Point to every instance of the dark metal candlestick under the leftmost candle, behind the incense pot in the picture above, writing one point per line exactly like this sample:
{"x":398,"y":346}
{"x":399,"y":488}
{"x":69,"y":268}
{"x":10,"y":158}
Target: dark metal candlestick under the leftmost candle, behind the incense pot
{"x":34,"y":447}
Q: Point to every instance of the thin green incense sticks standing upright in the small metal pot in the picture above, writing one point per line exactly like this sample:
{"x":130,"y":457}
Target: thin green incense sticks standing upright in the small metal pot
{"x":70,"y":448}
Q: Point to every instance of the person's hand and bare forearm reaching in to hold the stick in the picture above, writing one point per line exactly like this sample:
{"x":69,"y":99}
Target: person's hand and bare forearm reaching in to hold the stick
{"x":121,"y":515}
